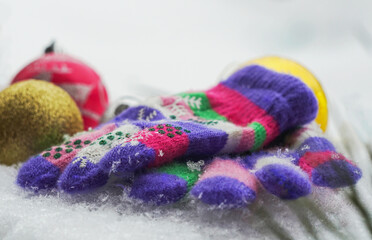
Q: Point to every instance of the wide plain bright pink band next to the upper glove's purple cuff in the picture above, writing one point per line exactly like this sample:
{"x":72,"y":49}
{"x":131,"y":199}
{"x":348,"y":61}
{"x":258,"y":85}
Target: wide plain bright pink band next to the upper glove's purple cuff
{"x":240,"y":110}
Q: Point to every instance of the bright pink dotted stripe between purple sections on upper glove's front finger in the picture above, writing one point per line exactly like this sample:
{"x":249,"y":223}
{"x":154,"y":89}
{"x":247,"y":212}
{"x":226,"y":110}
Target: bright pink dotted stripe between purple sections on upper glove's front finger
{"x":166,"y":148}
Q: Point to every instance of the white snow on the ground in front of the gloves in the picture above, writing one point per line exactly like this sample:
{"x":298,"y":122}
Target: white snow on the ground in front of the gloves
{"x":110,"y":214}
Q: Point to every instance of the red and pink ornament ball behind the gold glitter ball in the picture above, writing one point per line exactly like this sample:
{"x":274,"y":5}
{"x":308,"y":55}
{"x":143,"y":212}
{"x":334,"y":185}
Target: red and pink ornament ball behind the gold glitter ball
{"x":82,"y":83}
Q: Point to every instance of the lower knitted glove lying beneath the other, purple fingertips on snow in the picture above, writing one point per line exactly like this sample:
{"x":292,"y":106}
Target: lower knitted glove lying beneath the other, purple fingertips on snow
{"x":232,"y":182}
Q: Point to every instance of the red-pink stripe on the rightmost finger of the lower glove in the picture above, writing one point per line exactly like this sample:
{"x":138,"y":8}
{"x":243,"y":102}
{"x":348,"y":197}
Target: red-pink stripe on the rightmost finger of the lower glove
{"x":311,"y":160}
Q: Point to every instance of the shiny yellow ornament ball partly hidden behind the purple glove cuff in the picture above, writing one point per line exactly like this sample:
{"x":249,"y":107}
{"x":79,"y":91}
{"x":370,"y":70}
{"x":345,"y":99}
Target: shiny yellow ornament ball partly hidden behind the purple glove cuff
{"x":291,"y":67}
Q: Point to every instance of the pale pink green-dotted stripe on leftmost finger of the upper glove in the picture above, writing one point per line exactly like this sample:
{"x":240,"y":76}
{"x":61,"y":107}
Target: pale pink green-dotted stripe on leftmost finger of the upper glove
{"x":66,"y":158}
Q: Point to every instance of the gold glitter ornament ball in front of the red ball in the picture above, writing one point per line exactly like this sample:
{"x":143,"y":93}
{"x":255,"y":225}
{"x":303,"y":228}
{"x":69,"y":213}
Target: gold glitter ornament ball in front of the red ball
{"x":34,"y":115}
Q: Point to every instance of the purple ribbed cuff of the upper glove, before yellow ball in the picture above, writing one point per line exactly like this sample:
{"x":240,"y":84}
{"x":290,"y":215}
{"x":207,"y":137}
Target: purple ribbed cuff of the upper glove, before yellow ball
{"x":284,"y":90}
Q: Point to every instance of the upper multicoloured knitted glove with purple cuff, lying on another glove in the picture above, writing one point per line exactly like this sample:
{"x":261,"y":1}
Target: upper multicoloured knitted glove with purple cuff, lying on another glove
{"x":266,"y":102}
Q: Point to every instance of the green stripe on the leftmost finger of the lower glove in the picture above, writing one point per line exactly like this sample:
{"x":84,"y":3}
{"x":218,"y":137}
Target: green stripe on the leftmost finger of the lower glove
{"x":181,"y":170}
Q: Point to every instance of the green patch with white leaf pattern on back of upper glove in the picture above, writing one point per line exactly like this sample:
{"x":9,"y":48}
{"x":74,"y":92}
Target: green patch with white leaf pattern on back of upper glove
{"x":199,"y":104}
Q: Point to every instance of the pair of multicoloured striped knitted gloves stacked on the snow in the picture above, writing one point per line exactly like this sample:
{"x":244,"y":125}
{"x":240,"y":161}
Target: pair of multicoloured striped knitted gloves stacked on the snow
{"x":243,"y":113}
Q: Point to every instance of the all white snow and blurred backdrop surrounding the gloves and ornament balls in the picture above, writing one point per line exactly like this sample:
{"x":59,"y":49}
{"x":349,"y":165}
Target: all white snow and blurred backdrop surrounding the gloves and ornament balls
{"x":146,"y":47}
